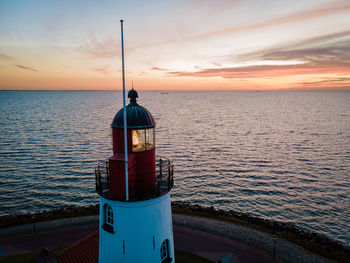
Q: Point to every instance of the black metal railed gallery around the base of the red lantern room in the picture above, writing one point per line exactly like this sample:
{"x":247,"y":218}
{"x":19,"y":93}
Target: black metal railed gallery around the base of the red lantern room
{"x":161,"y":184}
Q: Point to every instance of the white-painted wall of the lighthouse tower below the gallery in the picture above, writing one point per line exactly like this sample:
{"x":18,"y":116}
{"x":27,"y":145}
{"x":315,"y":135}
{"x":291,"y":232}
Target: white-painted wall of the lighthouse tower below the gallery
{"x":136,"y":223}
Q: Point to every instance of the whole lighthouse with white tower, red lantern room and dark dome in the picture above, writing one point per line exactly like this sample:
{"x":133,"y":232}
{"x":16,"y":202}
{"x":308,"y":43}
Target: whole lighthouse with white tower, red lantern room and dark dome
{"x":137,"y":227}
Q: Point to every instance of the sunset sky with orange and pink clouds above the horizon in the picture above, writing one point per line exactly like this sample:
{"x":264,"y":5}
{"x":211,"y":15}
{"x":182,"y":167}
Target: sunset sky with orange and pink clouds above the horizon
{"x":175,"y":45}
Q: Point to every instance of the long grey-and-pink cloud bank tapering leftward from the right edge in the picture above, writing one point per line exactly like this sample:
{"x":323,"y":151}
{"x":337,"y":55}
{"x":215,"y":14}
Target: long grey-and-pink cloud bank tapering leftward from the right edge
{"x":329,"y":54}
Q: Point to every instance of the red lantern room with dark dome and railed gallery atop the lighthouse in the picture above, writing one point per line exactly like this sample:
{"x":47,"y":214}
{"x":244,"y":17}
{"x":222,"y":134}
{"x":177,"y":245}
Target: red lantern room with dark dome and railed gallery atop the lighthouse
{"x":147,"y":178}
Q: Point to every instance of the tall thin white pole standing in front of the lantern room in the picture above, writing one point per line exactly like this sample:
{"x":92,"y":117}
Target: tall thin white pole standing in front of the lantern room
{"x":124,"y":117}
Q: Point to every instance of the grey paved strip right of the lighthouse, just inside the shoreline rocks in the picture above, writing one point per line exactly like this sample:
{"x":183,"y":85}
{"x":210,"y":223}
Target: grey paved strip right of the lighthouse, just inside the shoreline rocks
{"x":284,"y":250}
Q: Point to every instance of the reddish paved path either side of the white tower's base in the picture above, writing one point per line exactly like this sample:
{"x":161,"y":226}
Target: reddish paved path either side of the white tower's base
{"x":194,"y":241}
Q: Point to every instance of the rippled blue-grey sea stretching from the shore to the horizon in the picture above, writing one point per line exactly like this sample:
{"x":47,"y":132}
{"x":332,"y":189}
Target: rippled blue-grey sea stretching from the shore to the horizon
{"x":277,"y":155}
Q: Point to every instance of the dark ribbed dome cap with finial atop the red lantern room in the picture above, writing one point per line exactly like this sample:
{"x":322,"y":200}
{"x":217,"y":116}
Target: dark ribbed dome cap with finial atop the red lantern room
{"x":137,"y":116}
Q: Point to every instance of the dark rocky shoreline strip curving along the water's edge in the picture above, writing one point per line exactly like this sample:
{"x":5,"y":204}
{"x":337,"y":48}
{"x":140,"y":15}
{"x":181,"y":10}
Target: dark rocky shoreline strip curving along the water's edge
{"x":314,"y":242}
